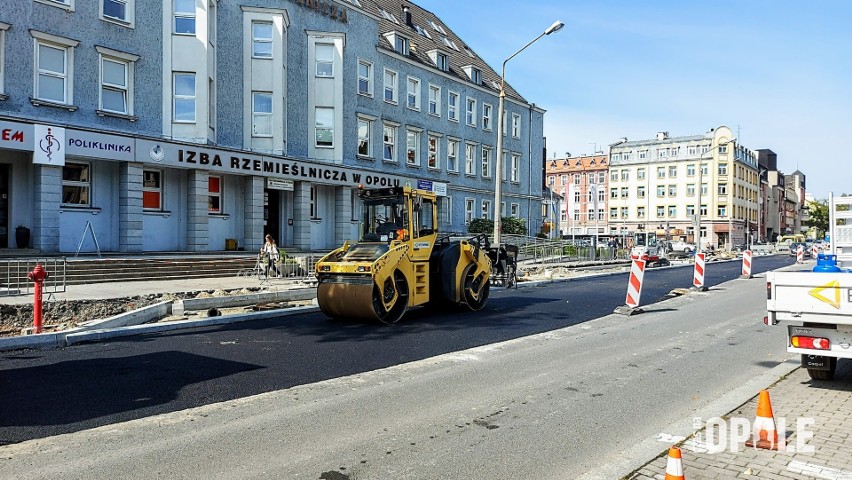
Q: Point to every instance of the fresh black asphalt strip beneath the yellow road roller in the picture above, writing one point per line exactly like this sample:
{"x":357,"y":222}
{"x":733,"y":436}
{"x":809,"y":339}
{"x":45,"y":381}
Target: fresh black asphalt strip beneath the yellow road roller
{"x":46,"y":393}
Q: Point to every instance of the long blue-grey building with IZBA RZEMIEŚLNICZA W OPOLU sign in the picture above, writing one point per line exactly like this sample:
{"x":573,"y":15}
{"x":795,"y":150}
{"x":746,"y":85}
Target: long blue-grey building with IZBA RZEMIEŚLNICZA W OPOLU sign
{"x":175,"y":125}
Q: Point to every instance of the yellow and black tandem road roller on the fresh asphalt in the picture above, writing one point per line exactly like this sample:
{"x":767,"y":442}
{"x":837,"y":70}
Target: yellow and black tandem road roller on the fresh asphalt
{"x":401,"y":262}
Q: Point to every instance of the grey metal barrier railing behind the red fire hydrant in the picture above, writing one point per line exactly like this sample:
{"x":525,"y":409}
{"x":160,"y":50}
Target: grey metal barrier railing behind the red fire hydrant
{"x":14,"y":281}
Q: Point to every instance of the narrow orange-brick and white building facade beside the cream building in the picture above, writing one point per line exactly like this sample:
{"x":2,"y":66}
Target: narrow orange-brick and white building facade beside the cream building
{"x":583,"y":184}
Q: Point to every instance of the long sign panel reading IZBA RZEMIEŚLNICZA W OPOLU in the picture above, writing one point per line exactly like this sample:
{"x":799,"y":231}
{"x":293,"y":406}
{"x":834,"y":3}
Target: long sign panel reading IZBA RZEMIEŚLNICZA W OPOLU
{"x":183,"y":156}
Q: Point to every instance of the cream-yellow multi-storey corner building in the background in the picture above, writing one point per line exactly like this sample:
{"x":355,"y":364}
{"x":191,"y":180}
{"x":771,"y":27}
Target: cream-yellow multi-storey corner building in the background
{"x":665,"y":183}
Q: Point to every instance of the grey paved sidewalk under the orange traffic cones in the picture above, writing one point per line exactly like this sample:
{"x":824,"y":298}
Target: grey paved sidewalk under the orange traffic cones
{"x":817,"y":417}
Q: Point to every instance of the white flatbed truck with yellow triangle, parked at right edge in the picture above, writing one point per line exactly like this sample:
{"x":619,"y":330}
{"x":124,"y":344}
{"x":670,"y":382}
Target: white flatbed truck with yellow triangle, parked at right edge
{"x":817,"y":305}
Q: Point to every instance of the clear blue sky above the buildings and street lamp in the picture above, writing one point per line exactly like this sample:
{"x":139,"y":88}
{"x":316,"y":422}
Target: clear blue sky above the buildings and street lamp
{"x":779,"y":72}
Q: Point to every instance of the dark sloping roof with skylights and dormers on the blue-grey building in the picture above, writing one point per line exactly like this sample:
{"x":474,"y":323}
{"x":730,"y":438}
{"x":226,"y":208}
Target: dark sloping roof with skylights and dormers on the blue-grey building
{"x":427,"y":38}
